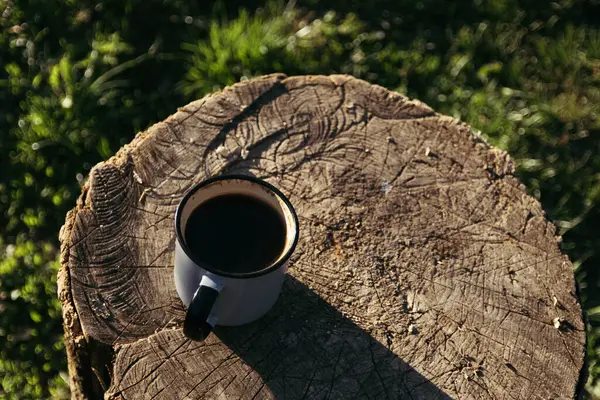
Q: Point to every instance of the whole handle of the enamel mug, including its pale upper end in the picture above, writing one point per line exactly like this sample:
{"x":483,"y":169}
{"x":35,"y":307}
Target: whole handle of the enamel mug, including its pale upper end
{"x":199,"y":321}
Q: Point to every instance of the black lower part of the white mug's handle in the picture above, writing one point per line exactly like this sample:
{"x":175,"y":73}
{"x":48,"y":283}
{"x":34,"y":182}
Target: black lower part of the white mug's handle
{"x":196,"y":326}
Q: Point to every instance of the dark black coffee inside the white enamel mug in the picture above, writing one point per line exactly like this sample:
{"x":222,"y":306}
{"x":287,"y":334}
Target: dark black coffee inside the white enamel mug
{"x":235,"y":233}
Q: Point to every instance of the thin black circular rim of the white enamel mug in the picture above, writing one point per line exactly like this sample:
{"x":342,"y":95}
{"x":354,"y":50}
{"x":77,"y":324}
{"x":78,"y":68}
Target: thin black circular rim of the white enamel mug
{"x":242,"y":275}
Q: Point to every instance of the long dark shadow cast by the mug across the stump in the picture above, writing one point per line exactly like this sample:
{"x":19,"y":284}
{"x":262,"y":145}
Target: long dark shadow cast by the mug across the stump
{"x":305,"y":348}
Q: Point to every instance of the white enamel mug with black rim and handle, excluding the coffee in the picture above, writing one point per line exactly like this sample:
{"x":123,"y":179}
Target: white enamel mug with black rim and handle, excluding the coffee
{"x":217,"y":297}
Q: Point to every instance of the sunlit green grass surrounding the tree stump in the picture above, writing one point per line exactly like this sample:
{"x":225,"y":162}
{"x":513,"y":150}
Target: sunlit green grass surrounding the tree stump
{"x":79,"y":78}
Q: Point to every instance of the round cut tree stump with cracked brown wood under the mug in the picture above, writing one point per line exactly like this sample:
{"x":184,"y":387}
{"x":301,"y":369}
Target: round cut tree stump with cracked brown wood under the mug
{"x":423,"y":270}
